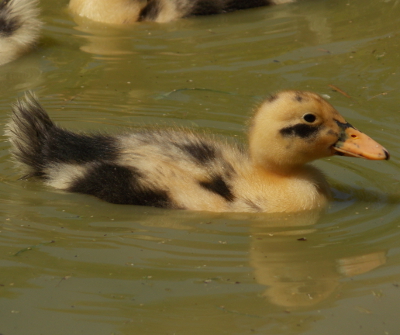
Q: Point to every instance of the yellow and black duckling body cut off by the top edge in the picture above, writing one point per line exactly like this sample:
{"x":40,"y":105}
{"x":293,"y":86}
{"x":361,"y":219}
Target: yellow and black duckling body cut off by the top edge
{"x":129,"y":11}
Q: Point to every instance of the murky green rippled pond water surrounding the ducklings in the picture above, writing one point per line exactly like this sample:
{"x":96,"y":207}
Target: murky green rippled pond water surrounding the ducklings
{"x":71,"y":264}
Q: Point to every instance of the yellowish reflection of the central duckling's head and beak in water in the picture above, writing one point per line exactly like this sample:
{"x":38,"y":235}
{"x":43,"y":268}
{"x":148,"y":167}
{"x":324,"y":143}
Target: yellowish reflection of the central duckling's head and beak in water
{"x":295,"y":269}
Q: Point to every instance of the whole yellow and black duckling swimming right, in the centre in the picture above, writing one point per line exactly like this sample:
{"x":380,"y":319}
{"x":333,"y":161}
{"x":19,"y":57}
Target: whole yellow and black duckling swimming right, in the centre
{"x":177,"y":168}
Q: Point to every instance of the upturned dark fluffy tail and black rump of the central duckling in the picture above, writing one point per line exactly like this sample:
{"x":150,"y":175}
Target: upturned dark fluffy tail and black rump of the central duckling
{"x":43,"y":148}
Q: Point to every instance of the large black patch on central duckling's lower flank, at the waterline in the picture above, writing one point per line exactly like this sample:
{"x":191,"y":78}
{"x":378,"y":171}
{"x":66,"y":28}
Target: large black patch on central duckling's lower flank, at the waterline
{"x":120,"y":185}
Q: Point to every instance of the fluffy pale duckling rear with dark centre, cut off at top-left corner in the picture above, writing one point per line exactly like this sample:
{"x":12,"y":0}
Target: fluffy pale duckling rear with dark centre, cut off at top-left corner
{"x":19,"y":28}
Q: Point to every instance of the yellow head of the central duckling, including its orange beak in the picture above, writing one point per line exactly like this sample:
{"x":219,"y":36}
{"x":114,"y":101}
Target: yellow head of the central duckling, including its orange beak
{"x":292,"y":128}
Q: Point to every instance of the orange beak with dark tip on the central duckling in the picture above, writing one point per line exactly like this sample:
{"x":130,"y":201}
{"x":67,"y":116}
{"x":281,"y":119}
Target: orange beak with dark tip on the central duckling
{"x":354,"y":143}
